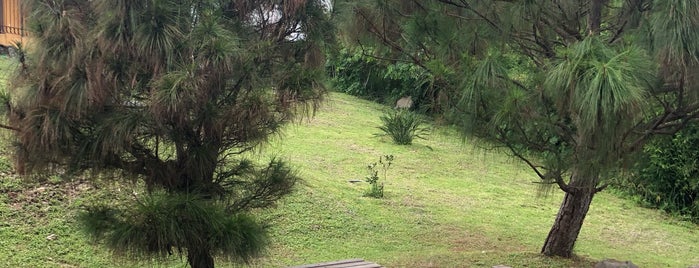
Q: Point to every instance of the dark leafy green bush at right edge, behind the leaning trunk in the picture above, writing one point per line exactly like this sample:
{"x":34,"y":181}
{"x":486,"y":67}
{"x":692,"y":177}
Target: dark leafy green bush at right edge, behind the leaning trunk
{"x":667,"y":176}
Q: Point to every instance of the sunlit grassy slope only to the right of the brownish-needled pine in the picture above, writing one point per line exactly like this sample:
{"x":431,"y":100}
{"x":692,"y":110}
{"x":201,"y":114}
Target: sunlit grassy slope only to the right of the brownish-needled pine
{"x":448,"y":204}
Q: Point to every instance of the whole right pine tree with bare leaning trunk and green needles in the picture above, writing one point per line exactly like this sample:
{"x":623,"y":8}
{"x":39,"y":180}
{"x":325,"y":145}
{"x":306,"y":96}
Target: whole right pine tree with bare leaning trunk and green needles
{"x":572,"y":88}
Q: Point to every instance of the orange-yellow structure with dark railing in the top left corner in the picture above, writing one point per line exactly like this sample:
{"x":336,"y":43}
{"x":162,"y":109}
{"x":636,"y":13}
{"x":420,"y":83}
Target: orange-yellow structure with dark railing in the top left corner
{"x":11,"y":22}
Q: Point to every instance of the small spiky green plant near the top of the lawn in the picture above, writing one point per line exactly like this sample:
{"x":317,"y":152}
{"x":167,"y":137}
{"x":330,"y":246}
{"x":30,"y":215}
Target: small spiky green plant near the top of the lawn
{"x":403,"y":126}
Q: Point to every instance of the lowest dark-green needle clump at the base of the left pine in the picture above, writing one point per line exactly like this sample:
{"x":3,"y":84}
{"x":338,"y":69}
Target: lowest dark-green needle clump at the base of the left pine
{"x":162,"y":224}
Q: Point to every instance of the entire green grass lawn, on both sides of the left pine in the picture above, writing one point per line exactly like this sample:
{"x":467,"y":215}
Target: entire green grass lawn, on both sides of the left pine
{"x":448,"y":203}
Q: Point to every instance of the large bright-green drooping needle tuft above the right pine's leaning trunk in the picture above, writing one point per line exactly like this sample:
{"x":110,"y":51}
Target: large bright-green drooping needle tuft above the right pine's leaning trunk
{"x":603,"y":91}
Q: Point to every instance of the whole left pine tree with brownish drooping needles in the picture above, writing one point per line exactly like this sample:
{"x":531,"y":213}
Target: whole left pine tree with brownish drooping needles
{"x":170,"y":93}
